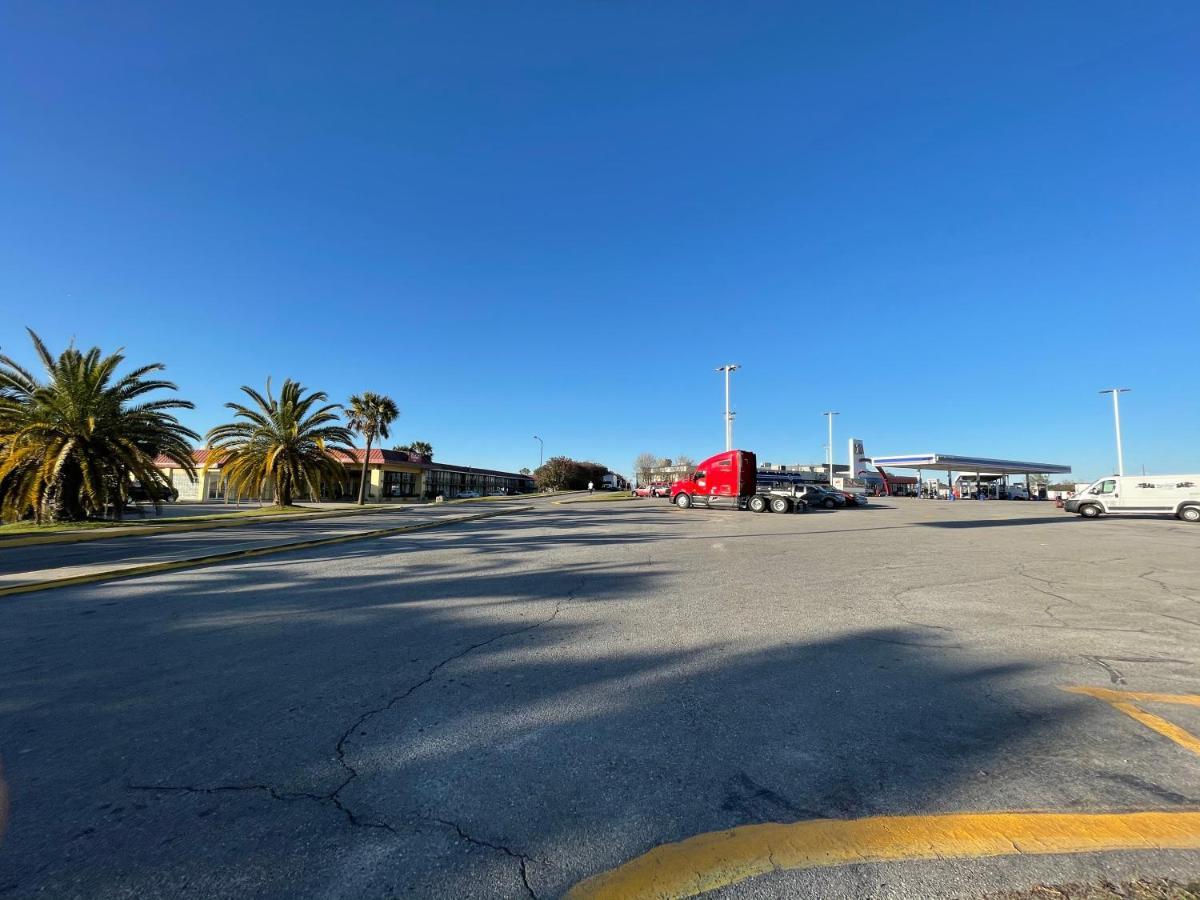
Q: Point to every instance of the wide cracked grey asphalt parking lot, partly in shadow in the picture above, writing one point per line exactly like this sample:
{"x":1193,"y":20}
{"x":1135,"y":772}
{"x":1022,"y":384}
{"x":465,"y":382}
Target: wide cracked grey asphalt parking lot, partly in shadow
{"x":517,"y":706}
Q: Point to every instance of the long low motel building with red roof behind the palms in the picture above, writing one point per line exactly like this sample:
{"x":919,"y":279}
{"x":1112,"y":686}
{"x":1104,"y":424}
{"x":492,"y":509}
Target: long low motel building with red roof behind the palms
{"x":392,"y":476}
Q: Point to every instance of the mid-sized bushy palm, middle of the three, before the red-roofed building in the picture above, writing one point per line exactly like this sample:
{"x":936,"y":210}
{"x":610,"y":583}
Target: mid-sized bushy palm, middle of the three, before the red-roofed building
{"x":286,"y":443}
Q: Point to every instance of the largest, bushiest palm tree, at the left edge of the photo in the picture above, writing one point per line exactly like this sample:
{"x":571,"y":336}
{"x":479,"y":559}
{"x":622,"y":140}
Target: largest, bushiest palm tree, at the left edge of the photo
{"x":71,"y":446}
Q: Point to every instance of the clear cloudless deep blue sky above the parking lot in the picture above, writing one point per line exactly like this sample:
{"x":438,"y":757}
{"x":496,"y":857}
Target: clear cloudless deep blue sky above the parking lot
{"x":952,"y":223}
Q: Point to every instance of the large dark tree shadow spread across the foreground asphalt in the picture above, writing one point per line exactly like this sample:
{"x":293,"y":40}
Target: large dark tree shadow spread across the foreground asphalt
{"x":427,"y":729}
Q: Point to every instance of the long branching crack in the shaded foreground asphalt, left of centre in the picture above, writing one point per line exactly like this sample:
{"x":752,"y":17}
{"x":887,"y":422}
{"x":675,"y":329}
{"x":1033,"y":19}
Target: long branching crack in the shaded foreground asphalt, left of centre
{"x":333,"y":799}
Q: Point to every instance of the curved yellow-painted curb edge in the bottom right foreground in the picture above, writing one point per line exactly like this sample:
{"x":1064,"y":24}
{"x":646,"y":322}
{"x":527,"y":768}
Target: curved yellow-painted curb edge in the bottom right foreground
{"x":717,"y":860}
